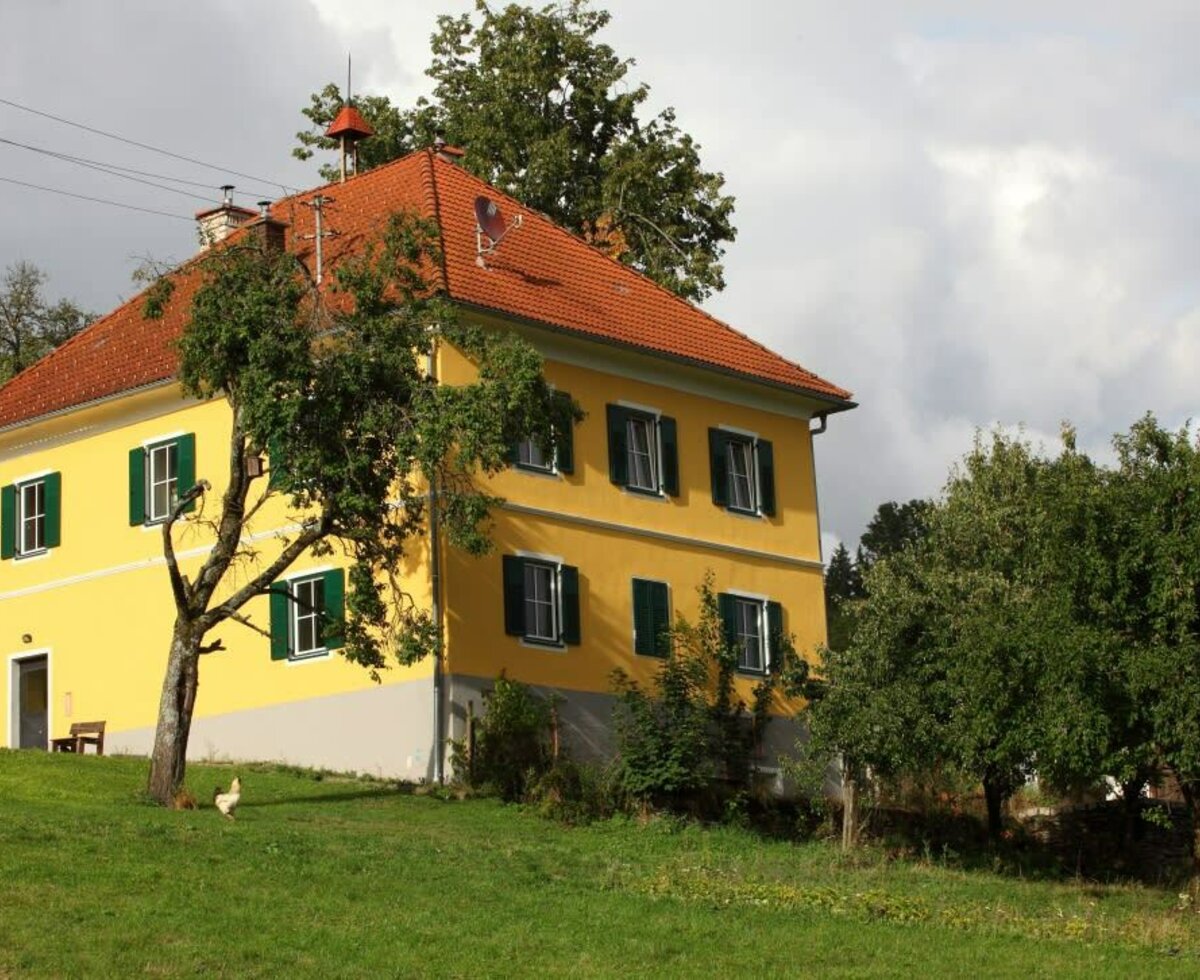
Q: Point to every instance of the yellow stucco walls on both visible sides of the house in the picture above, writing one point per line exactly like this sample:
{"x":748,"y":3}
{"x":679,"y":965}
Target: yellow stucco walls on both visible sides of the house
{"x":100,"y":604}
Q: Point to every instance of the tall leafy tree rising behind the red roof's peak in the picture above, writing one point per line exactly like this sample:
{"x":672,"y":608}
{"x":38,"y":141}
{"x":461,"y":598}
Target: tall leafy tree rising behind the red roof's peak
{"x":548,"y":115}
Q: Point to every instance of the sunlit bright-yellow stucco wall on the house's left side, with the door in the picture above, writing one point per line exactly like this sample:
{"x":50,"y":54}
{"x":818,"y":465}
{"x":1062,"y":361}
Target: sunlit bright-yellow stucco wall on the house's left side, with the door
{"x":100,"y":604}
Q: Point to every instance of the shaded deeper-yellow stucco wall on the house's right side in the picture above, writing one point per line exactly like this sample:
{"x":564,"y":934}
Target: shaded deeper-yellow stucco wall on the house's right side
{"x":785,"y":566}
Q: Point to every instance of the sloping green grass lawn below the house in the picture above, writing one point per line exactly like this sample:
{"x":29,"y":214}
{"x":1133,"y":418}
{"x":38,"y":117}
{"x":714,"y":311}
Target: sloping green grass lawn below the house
{"x":346,"y":879}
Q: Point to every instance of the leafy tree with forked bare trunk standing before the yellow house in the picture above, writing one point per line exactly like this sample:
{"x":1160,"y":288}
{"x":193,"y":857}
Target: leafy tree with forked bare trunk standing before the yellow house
{"x":339,"y":394}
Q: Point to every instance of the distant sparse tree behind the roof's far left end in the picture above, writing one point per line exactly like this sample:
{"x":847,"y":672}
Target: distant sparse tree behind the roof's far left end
{"x":31,"y":327}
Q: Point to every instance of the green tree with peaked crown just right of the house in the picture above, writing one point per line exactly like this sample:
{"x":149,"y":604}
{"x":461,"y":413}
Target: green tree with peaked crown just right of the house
{"x":946,"y":660}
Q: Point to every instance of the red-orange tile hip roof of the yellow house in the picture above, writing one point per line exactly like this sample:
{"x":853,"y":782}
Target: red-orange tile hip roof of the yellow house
{"x":539,"y":274}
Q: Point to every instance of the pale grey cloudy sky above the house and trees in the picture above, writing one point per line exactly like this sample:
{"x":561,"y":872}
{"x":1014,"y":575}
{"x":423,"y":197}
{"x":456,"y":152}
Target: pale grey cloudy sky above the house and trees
{"x":969,"y":214}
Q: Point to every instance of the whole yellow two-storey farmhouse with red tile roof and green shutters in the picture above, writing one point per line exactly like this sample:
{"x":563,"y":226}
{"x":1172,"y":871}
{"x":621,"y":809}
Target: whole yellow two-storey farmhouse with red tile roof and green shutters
{"x":695,"y":456}
